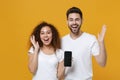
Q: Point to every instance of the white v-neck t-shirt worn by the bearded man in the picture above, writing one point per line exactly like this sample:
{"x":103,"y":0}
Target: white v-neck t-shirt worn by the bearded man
{"x":82,"y":50}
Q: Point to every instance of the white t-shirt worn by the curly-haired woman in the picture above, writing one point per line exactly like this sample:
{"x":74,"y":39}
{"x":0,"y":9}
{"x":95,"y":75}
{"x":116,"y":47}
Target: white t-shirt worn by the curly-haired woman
{"x":47,"y":65}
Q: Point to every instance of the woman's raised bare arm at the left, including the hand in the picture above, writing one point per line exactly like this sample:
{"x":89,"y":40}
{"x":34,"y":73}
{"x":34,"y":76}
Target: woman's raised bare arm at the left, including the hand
{"x":33,"y":58}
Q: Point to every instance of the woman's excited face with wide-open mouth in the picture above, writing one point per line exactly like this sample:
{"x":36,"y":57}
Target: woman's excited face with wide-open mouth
{"x":46,"y":35}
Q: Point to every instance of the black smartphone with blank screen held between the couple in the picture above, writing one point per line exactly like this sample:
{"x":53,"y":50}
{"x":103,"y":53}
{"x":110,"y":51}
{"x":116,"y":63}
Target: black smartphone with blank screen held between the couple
{"x":68,"y":58}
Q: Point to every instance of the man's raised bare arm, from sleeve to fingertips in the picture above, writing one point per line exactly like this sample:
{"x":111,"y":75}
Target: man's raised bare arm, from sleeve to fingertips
{"x":102,"y":57}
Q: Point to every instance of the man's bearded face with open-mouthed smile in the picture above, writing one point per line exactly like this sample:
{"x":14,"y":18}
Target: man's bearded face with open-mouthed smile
{"x":74,"y":22}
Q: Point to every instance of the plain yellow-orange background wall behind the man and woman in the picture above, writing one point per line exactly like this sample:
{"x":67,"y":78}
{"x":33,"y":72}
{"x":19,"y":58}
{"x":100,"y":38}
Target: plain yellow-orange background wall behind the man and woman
{"x":19,"y":17}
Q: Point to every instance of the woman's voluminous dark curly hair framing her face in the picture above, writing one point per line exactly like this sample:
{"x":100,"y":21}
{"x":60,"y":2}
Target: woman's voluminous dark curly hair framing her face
{"x":55,"y":35}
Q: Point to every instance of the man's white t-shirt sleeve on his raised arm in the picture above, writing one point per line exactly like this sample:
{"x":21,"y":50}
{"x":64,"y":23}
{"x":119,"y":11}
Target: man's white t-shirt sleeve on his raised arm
{"x":95,"y":49}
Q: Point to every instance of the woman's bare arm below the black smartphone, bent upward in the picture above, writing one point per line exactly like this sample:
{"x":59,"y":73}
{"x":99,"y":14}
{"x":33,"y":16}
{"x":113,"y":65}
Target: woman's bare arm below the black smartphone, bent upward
{"x":61,"y":70}
